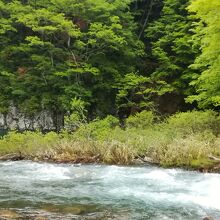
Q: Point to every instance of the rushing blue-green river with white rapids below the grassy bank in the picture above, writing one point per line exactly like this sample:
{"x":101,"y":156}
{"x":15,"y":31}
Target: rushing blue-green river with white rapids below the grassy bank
{"x":30,"y":190}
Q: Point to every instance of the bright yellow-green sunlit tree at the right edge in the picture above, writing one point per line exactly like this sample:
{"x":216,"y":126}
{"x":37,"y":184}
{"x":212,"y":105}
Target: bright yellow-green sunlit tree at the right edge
{"x":208,"y":63}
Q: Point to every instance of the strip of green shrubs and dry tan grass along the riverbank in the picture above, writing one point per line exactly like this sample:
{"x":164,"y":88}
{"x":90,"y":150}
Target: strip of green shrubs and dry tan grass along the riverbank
{"x":190,"y":139}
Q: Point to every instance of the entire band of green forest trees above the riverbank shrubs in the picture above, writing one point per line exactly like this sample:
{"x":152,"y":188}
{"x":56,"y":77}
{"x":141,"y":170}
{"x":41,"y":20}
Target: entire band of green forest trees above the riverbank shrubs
{"x":83,"y":59}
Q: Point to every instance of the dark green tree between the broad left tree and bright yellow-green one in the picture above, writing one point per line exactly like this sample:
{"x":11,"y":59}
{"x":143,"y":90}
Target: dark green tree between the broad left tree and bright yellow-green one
{"x":170,"y":54}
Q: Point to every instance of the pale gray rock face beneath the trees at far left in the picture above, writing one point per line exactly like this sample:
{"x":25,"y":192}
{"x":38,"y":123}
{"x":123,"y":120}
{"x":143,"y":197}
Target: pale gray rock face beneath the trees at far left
{"x":19,"y":121}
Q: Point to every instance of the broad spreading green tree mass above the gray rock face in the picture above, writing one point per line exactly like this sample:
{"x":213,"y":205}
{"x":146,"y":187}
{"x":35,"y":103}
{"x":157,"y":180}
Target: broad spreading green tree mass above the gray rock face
{"x":56,"y":51}
